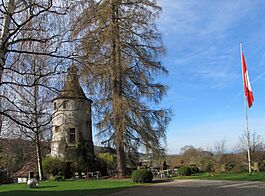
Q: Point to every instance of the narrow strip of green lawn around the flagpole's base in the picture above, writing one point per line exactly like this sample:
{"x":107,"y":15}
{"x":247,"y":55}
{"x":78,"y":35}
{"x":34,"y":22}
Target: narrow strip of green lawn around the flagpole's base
{"x":236,"y":177}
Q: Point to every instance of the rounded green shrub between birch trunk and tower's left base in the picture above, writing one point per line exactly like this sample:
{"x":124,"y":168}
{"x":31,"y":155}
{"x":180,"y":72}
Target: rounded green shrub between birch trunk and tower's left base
{"x":53,"y":166}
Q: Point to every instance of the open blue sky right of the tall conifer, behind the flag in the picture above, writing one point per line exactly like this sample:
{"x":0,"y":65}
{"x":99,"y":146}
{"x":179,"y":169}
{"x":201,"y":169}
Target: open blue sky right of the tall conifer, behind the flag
{"x":205,"y":85}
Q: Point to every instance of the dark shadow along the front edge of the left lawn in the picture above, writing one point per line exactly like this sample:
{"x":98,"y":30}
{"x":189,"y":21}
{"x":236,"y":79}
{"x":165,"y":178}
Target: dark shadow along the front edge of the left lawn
{"x":84,"y":192}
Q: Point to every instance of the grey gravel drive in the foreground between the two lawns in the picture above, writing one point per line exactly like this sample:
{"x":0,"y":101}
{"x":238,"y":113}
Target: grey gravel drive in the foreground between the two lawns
{"x":197,"y":188}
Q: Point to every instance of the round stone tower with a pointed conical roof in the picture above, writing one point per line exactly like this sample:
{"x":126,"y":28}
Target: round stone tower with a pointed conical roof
{"x":72,"y":127}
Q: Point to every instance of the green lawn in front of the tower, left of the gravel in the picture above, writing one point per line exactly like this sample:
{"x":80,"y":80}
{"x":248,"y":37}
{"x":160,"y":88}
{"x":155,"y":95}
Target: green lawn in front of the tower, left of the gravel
{"x":65,"y":188}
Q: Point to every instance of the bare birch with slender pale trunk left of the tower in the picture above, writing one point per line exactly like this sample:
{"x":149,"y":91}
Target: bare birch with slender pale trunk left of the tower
{"x":33,"y":48}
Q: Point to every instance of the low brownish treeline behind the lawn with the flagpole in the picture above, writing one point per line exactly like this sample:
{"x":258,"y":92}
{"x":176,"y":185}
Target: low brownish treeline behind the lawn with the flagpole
{"x":219,"y":159}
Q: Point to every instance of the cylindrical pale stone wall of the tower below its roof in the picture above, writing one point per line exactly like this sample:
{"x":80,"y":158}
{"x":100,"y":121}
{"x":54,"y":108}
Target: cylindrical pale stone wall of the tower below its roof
{"x":71,"y":114}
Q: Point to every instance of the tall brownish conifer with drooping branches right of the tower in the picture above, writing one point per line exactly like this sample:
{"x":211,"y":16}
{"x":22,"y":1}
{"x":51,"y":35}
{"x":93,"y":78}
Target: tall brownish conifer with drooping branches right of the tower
{"x":120,"y":46}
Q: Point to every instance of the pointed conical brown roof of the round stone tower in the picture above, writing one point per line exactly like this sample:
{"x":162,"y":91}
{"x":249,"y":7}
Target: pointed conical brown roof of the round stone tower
{"x":72,"y":88}
